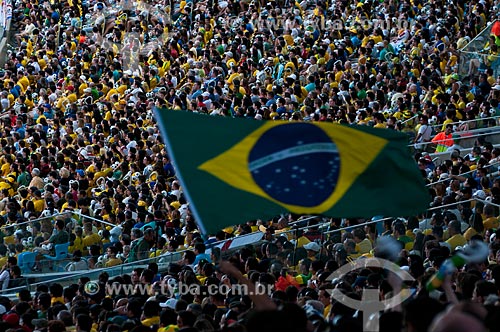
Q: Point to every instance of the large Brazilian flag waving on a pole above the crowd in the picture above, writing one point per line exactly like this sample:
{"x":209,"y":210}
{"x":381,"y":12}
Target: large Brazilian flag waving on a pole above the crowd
{"x":234,"y":170}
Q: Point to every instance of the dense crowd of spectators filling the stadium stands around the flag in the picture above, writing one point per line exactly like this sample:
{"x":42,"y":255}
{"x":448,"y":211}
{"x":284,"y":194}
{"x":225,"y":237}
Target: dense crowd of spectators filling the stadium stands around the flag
{"x":83,"y":162}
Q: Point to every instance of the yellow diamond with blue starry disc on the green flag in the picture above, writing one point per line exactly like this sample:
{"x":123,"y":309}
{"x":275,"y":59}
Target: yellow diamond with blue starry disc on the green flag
{"x":303,"y":167}
